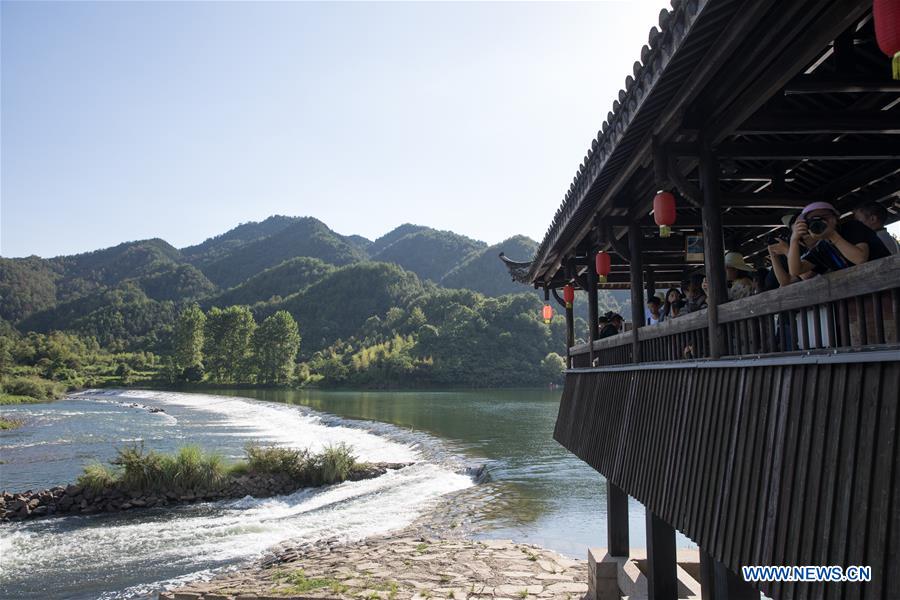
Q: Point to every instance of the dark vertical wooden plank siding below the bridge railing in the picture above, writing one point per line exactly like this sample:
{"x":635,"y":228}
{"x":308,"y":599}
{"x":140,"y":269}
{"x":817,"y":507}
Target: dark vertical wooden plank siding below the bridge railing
{"x":790,"y":461}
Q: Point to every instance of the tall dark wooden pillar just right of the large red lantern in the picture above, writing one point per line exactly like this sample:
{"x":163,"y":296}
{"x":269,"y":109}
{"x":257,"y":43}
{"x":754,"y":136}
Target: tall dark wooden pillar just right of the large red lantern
{"x":713,"y":245}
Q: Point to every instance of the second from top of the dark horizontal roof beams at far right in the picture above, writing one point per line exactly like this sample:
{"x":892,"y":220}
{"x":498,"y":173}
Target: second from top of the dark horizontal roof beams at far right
{"x":823,"y":122}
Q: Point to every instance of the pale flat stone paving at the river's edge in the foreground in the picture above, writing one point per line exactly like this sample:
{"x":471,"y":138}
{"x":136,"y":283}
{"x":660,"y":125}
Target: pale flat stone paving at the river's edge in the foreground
{"x":401,"y":568}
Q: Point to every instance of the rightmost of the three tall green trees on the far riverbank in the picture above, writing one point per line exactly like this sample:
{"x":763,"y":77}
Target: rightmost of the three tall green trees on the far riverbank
{"x":275,"y":346}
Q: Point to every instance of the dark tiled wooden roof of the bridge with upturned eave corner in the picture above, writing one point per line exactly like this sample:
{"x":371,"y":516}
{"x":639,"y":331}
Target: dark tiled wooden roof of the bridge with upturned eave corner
{"x":795,"y":98}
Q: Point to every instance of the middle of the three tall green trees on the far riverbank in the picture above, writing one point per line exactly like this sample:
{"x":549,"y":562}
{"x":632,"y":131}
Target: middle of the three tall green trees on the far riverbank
{"x":227,"y":341}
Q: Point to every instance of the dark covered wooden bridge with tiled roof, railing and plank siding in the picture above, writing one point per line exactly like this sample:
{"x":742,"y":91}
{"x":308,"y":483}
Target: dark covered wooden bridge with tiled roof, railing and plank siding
{"x":765,"y":429}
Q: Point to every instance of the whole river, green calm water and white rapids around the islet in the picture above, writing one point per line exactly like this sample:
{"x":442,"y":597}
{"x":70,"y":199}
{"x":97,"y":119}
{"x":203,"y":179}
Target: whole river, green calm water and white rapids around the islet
{"x":536,"y":491}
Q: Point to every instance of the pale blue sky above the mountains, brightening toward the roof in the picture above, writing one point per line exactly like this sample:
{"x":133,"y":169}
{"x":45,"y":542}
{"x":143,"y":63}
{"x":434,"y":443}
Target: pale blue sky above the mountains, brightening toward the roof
{"x":124,"y":121}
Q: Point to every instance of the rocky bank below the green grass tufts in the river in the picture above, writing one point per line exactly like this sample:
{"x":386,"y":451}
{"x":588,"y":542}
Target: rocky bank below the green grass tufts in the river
{"x":77,"y":499}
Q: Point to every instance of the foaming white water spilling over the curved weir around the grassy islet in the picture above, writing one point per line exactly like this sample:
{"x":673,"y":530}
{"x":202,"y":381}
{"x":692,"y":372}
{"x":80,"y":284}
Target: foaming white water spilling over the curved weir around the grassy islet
{"x":129,"y":554}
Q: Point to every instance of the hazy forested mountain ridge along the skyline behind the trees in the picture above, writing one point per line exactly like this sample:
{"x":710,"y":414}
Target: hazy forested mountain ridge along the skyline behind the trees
{"x":281,"y":260}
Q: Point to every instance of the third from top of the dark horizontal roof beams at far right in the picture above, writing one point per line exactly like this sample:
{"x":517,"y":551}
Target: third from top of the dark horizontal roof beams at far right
{"x":881,"y":150}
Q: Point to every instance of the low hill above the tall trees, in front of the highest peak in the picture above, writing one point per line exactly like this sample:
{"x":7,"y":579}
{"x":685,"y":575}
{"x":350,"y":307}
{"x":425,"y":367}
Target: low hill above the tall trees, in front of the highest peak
{"x":288,"y":278}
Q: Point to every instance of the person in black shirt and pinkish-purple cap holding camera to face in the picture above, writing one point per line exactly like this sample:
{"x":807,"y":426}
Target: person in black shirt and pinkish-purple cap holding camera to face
{"x":835,"y":245}
